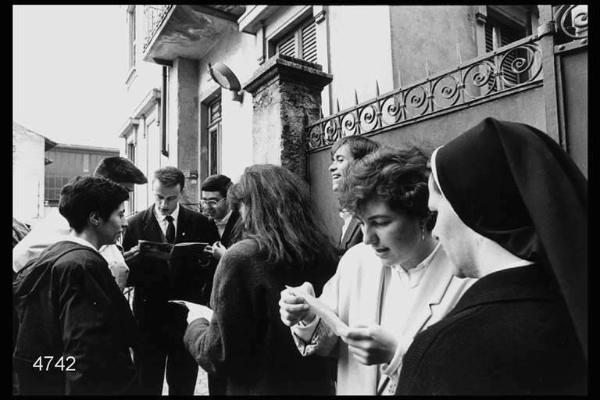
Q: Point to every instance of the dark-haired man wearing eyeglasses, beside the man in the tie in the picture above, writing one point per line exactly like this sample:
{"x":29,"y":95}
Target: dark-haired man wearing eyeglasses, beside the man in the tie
{"x":214,"y":205}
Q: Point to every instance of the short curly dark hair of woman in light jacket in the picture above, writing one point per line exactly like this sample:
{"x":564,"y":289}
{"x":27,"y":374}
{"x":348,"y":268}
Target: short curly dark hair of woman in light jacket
{"x":396,"y":176}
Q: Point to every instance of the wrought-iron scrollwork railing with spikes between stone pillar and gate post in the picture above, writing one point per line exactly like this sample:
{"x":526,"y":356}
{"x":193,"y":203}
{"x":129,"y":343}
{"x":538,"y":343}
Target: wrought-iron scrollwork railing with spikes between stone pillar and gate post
{"x":505,"y":69}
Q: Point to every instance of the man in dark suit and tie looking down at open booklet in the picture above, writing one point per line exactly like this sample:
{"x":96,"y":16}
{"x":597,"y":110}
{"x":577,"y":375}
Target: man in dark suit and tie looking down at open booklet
{"x":156,"y":281}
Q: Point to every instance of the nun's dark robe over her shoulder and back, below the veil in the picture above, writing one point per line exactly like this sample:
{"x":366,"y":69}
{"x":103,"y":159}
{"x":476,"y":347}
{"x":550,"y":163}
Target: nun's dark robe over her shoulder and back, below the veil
{"x":510,"y":334}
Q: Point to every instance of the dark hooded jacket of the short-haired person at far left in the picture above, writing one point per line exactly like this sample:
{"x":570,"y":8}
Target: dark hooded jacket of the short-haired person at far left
{"x":69,"y":305}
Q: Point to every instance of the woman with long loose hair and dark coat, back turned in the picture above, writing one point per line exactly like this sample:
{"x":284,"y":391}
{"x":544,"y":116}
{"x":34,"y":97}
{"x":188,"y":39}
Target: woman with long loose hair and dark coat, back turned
{"x":282,"y":243}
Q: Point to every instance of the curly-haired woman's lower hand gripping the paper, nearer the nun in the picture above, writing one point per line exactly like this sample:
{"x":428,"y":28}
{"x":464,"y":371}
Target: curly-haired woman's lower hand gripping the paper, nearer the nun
{"x":371,"y":345}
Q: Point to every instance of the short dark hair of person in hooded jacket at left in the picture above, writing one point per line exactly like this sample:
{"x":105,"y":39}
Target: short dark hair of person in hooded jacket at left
{"x":86,"y":194}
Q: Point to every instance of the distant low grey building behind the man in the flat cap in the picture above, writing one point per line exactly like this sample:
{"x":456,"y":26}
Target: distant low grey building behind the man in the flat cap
{"x":69,"y":161}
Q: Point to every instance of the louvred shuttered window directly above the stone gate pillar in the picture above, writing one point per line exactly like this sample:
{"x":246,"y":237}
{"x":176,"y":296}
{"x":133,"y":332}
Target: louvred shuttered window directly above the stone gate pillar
{"x":300,"y":43}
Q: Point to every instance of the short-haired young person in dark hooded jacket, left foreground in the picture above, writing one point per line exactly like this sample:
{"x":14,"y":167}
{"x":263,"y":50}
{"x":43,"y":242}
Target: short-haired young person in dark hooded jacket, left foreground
{"x":75,"y":327}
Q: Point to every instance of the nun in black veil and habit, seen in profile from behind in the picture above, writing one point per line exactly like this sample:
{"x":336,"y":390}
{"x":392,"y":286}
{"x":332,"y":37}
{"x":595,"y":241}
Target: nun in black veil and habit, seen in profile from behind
{"x":512,"y":211}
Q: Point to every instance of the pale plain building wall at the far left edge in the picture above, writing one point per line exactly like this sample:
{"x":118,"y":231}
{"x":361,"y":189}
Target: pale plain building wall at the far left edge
{"x":28,"y":162}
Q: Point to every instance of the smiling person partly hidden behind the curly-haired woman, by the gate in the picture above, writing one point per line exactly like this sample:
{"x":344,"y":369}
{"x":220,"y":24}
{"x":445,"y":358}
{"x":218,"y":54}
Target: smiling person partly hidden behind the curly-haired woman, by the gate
{"x":344,"y":152}
